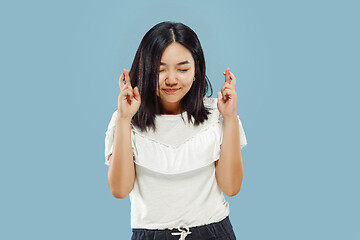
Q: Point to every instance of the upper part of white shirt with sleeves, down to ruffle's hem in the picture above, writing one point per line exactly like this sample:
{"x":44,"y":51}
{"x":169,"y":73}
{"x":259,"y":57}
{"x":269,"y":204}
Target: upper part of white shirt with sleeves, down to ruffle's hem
{"x":197,"y":147}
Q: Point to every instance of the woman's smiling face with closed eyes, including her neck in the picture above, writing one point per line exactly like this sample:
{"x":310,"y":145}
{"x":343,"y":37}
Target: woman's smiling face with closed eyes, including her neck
{"x":176,"y":75}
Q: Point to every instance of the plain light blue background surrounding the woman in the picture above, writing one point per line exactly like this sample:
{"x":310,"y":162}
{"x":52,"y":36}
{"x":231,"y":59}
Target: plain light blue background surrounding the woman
{"x":297,"y":69}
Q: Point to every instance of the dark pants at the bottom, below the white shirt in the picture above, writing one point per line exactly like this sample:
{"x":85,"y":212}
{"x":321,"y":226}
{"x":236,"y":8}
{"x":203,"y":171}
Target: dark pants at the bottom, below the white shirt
{"x":218,"y":230}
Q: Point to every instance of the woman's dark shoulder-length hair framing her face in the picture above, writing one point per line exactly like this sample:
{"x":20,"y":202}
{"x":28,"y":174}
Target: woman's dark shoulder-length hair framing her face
{"x":144,"y":73}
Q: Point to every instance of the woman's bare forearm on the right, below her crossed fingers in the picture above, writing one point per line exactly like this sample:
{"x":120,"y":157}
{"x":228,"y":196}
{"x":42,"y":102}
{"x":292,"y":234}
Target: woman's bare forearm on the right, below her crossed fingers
{"x":229,"y":172}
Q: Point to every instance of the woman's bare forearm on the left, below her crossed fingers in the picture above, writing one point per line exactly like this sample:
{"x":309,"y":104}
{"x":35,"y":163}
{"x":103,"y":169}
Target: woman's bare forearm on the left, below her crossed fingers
{"x":121,"y":174}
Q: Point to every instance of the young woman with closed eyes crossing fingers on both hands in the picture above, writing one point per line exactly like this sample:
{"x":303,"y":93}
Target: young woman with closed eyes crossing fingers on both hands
{"x":173,"y":150}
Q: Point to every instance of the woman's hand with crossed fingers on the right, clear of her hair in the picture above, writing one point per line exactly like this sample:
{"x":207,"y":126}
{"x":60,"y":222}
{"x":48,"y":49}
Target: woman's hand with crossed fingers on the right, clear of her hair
{"x":227,"y":98}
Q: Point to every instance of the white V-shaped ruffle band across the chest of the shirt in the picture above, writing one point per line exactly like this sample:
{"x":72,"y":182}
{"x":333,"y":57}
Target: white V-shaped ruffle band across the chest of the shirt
{"x":198,"y":151}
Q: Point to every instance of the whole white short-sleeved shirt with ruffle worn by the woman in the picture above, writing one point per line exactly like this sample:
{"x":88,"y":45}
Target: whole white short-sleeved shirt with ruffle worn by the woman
{"x":175,"y":182}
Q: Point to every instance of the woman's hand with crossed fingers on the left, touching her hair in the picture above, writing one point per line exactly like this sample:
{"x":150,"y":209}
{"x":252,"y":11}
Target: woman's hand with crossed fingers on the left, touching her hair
{"x":129,"y":99}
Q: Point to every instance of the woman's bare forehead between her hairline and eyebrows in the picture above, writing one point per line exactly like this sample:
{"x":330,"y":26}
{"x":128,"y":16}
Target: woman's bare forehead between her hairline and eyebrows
{"x":176,"y":53}
